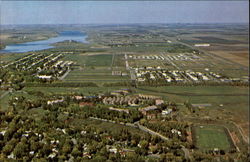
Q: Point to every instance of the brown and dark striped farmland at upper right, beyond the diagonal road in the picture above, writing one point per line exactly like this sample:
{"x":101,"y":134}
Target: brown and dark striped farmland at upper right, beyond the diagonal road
{"x":229,"y":44}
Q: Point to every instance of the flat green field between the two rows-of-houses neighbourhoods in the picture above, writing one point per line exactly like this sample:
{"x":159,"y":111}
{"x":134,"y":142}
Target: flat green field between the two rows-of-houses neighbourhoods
{"x":96,"y":68}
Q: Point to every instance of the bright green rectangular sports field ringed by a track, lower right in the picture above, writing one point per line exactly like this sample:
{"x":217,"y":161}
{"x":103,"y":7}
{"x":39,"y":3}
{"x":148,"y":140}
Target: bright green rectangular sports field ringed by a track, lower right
{"x":209,"y":137}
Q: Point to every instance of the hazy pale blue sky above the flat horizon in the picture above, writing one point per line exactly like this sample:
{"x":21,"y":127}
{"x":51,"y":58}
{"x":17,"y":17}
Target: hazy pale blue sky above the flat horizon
{"x":119,"y":12}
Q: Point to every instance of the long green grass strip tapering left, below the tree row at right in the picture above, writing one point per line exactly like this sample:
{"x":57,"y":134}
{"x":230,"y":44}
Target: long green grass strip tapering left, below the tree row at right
{"x":215,"y":95}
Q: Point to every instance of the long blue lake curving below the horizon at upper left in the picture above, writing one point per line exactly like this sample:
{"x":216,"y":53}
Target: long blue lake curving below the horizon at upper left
{"x":46,"y":44}
